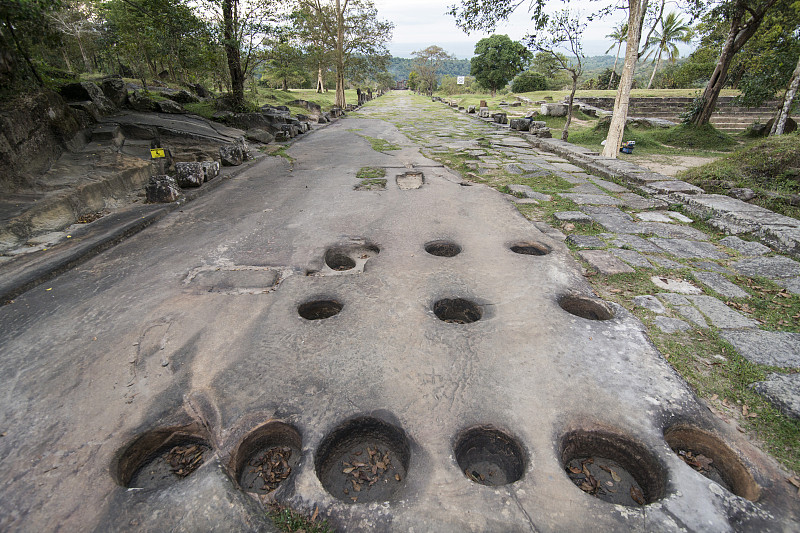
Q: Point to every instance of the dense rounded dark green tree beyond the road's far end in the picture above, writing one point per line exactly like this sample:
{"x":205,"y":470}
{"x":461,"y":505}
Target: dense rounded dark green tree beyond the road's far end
{"x":497,"y":60}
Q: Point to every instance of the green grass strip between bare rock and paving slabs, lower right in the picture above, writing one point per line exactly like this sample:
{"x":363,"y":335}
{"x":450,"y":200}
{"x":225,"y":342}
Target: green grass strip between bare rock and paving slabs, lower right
{"x":712,"y":367}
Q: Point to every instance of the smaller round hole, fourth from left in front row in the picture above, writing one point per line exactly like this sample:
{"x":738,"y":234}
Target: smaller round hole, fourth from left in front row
{"x":489,"y":456}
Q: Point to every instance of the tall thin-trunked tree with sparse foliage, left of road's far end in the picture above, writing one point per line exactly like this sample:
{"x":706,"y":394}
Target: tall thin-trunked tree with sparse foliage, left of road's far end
{"x":351,"y":30}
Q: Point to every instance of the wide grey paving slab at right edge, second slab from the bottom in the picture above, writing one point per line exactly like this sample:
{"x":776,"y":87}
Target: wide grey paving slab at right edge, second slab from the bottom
{"x":773,"y":348}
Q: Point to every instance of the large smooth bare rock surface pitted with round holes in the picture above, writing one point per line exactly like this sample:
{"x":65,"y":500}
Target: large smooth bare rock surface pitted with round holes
{"x":117,"y":348}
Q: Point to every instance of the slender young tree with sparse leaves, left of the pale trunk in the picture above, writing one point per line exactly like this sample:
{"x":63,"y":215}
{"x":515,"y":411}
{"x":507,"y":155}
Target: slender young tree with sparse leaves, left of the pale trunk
{"x":563,"y":32}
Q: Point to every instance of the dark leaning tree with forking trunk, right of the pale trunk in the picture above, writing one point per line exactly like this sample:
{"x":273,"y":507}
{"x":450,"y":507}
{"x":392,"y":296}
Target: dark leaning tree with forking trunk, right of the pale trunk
{"x":742,"y":17}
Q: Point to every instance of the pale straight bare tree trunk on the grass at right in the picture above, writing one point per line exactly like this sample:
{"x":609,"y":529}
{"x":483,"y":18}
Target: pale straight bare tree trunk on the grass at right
{"x":636,"y":11}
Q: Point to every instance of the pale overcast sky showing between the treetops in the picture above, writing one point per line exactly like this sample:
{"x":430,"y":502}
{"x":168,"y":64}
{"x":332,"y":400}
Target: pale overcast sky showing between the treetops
{"x":421,"y":23}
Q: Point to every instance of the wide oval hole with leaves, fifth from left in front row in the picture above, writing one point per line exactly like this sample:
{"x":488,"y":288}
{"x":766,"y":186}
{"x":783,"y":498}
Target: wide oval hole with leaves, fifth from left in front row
{"x":612,"y":468}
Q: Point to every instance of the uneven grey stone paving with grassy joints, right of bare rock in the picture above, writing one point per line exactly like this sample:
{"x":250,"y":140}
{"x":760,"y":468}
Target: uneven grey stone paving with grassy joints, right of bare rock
{"x":720,"y":294}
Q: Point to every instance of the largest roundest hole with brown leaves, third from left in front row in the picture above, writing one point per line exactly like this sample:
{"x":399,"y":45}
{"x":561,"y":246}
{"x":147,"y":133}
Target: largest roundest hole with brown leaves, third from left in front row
{"x":363,"y":460}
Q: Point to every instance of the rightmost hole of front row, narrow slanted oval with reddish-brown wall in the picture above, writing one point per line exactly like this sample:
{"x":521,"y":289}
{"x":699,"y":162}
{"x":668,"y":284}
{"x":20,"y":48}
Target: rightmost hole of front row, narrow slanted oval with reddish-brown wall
{"x":709,"y":456}
